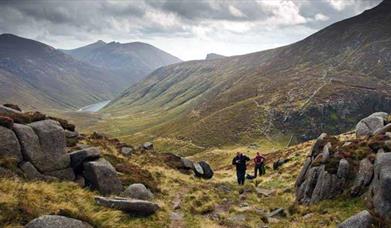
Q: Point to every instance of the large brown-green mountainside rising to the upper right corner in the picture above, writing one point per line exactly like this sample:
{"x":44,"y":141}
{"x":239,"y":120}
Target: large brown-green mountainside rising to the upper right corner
{"x":325,"y":82}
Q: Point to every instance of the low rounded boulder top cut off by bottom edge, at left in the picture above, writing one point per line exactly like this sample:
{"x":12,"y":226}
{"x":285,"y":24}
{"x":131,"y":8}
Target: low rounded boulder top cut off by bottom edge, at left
{"x":56,"y":221}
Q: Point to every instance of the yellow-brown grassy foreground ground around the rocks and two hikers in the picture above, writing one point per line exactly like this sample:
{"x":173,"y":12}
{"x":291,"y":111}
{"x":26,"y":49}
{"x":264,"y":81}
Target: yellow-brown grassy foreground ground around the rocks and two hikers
{"x":204,"y":203}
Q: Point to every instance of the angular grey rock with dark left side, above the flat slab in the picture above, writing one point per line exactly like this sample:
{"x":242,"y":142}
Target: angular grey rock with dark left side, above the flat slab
{"x":102,"y":176}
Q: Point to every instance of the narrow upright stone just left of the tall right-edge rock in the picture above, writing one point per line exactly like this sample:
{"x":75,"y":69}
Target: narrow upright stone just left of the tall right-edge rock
{"x":363,"y":178}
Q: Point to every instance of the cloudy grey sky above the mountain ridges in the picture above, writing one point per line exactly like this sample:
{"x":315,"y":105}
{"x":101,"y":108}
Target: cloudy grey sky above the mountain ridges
{"x":188,"y":29}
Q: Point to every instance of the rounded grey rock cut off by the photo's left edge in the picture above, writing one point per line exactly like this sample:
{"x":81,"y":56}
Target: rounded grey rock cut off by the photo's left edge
{"x":9,"y":145}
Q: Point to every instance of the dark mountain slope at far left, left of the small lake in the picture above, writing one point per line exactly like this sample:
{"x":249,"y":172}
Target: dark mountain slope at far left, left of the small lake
{"x":36,"y":75}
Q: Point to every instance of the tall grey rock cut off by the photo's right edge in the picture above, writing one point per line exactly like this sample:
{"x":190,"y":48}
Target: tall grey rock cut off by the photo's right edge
{"x":380,"y":197}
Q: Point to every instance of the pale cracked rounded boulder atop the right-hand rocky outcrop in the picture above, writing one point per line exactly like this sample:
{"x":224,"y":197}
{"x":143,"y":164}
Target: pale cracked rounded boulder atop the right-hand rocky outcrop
{"x":369,"y":125}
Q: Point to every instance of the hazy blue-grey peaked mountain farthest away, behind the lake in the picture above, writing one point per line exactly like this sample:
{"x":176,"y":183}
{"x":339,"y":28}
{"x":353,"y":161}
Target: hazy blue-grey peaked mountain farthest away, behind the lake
{"x":131,"y":61}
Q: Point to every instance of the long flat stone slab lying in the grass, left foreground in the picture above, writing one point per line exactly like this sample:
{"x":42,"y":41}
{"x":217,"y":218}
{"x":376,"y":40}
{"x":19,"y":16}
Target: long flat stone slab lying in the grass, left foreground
{"x":131,"y":206}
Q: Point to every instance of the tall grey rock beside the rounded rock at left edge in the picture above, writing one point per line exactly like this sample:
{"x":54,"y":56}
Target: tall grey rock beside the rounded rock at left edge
{"x":52,"y":142}
